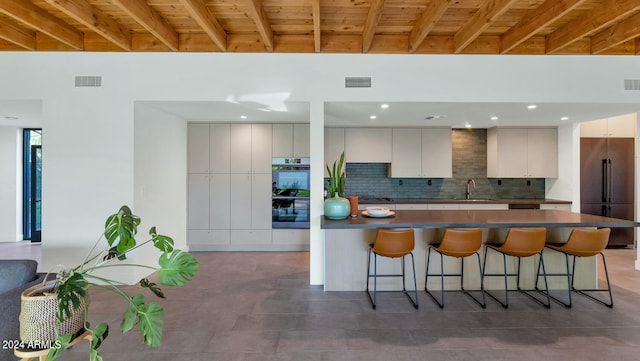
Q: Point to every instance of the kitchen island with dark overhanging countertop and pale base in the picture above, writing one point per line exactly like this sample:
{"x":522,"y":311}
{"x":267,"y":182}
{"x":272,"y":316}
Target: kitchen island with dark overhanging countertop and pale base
{"x":346,"y":243}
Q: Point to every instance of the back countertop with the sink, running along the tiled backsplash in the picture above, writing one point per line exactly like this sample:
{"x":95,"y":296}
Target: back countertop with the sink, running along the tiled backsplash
{"x":461,"y":201}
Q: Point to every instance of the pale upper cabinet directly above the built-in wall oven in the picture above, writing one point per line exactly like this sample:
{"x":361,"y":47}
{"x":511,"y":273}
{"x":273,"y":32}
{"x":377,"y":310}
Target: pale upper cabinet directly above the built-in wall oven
{"x":291,"y":140}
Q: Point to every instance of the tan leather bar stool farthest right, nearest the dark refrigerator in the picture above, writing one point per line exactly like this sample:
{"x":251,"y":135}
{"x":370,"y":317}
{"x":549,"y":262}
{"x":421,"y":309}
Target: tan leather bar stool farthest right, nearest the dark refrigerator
{"x":584,"y":243}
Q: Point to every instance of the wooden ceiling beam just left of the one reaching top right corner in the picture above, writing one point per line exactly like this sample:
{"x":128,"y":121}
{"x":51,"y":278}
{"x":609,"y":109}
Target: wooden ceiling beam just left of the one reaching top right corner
{"x":536,"y":20}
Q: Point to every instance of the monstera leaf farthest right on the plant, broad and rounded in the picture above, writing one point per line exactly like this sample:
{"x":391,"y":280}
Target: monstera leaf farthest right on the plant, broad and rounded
{"x":177,"y":268}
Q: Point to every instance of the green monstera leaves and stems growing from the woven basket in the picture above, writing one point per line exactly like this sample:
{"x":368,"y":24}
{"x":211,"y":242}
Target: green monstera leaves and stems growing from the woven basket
{"x":176,"y":268}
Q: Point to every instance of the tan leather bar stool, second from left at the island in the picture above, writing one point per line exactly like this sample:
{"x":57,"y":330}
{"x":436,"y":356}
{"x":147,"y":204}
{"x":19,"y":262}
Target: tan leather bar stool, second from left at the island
{"x":458,"y":243}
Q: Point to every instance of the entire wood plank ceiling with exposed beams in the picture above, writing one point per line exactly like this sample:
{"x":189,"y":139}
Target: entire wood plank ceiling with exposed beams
{"x":324,"y":26}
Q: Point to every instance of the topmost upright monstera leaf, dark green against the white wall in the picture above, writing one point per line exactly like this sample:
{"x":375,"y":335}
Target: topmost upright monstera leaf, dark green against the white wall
{"x":122,"y":228}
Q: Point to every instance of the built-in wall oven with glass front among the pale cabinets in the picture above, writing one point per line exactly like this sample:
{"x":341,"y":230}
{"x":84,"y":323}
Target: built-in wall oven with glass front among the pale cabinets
{"x":290,"y":193}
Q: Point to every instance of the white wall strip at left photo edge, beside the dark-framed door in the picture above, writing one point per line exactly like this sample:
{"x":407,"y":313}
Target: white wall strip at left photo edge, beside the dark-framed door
{"x":10,"y":184}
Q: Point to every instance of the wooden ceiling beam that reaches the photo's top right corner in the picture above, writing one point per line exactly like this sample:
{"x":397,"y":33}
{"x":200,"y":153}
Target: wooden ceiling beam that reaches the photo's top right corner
{"x":595,"y":20}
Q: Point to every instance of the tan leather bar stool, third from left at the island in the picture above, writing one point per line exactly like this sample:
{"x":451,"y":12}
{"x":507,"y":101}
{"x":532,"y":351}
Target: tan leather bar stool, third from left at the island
{"x":520,"y":242}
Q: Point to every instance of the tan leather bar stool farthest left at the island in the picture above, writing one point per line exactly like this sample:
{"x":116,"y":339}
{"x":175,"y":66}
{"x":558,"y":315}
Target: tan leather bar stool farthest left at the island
{"x":393,"y":244}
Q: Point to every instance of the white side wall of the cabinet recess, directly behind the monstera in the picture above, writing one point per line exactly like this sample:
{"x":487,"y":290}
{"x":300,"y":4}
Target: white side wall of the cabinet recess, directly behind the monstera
{"x":160,"y":179}
